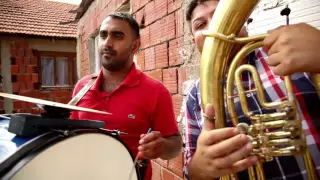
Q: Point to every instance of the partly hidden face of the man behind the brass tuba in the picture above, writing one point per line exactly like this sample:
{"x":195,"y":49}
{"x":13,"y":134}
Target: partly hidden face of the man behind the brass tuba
{"x":200,"y":20}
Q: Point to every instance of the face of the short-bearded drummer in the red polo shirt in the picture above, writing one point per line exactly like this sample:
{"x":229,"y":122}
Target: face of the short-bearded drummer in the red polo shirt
{"x":117,"y":44}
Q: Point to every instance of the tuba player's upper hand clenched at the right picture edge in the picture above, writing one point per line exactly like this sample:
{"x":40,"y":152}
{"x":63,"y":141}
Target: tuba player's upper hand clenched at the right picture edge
{"x":293,"y":48}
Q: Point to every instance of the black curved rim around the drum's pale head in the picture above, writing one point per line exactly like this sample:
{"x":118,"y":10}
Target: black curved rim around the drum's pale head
{"x":35,"y":146}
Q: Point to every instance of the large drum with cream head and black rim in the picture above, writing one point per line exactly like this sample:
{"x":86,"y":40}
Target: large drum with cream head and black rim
{"x":79,"y":154}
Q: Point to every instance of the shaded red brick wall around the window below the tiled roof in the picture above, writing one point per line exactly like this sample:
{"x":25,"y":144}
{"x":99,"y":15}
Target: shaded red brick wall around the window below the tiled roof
{"x":25,"y":80}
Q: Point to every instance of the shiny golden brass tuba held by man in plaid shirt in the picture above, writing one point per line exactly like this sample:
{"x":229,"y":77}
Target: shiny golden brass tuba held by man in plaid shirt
{"x":220,"y":74}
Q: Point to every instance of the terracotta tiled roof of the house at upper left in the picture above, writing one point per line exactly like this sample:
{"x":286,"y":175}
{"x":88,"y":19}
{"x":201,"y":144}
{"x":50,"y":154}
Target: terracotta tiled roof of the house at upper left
{"x":37,"y":17}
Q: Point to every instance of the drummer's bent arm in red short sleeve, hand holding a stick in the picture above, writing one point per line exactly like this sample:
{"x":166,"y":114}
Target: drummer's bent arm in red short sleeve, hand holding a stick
{"x":165,"y":141}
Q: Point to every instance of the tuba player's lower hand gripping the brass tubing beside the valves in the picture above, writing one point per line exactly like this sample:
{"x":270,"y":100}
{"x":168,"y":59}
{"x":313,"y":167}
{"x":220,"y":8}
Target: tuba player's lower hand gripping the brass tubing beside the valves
{"x":220,"y":152}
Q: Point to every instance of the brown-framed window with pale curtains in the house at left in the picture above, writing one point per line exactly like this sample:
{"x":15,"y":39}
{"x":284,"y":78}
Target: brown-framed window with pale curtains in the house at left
{"x":57,"y":69}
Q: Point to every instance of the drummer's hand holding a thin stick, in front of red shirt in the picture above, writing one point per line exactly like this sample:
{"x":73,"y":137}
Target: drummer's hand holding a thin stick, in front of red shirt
{"x":151,"y":145}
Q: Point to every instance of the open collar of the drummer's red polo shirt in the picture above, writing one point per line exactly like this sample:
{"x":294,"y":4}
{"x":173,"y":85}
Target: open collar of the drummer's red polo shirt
{"x":132,"y":79}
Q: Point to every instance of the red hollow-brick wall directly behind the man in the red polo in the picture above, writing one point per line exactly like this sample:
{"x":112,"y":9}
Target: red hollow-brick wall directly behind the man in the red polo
{"x":163,"y":55}
